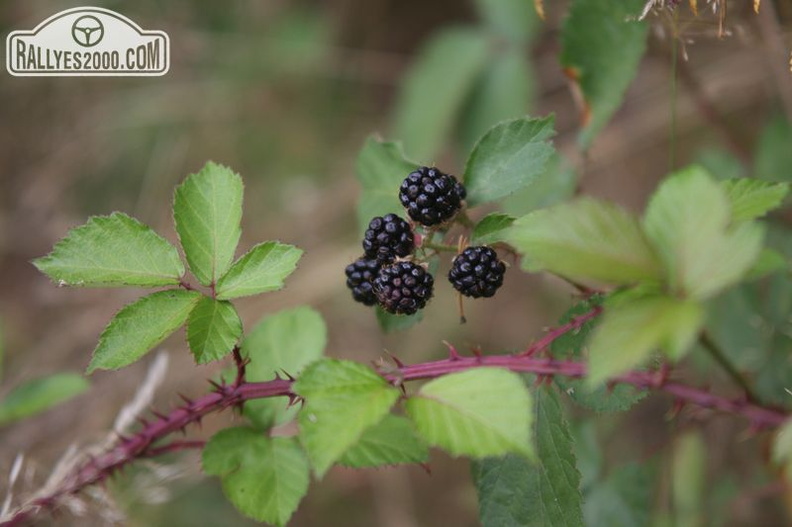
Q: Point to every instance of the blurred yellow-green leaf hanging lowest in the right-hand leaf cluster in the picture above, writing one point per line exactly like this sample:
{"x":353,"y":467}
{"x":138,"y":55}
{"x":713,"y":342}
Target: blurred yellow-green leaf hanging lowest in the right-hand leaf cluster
{"x":632,"y":330}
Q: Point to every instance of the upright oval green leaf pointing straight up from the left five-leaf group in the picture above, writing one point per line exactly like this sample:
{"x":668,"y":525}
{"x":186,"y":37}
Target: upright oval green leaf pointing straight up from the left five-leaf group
{"x":207,"y":209}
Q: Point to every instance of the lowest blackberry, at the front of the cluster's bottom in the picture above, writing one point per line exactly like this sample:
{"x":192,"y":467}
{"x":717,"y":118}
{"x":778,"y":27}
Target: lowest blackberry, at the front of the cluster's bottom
{"x":403,"y":288}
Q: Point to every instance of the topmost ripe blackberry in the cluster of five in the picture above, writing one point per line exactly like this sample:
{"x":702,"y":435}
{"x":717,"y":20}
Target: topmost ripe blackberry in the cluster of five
{"x":431,"y":197}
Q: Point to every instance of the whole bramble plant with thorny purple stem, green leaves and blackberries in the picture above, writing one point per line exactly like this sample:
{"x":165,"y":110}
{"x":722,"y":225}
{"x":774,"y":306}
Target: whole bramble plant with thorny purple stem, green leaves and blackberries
{"x":653,"y":290}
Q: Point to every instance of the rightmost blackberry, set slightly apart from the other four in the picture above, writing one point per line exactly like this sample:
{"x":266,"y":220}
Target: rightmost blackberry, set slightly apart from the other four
{"x":477,"y":272}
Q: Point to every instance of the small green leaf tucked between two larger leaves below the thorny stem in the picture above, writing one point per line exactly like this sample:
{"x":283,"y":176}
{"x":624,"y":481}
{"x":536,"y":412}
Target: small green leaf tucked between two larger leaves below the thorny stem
{"x":392,"y":441}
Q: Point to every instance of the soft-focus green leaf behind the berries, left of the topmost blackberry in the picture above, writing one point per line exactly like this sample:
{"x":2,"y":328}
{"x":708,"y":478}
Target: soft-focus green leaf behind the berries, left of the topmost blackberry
{"x":381,"y":167}
